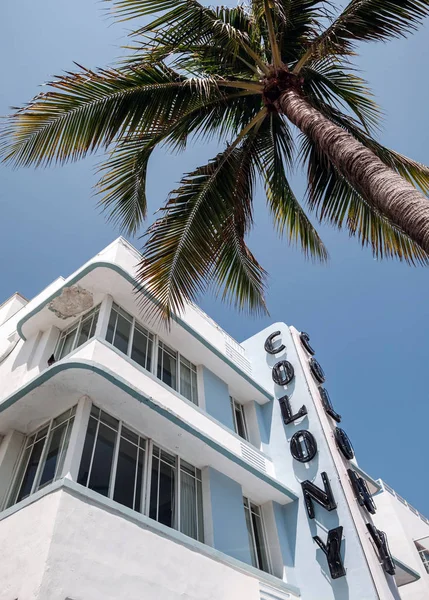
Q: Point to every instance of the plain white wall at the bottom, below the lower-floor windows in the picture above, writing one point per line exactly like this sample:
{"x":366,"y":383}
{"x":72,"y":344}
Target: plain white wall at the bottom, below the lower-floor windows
{"x":64,"y":547}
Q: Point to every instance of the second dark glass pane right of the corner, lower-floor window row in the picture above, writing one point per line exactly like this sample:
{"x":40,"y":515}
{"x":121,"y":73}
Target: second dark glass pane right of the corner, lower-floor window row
{"x":102,"y":462}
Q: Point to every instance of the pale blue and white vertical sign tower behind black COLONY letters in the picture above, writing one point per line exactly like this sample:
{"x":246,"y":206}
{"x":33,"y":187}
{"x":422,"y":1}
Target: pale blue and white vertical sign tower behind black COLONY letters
{"x":310,"y":566}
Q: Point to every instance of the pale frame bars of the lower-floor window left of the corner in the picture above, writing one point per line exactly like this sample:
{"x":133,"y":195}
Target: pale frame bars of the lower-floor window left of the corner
{"x":14,"y":487}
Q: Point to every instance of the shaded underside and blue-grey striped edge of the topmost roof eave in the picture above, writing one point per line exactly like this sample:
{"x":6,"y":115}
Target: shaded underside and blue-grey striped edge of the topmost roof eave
{"x":102,"y":277}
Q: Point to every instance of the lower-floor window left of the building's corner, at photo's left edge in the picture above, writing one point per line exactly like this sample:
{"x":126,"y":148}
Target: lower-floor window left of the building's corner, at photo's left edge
{"x":43,"y":457}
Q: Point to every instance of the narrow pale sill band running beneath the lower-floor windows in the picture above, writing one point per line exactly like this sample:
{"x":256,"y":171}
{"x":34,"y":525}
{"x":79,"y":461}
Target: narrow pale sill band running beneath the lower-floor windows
{"x":73,"y":488}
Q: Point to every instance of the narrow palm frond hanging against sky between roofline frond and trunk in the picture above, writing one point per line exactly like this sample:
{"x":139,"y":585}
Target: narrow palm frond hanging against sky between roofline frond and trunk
{"x":276,"y":152}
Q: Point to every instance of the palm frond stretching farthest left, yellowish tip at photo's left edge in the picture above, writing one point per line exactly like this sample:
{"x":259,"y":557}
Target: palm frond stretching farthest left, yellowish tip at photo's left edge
{"x":88,"y":110}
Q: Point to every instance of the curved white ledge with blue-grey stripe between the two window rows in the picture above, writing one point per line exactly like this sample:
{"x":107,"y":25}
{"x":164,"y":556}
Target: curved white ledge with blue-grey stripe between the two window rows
{"x":171,"y":423}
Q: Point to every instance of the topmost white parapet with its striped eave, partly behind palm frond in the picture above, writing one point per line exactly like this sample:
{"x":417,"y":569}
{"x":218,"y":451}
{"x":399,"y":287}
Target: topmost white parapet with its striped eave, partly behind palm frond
{"x":112,"y":272}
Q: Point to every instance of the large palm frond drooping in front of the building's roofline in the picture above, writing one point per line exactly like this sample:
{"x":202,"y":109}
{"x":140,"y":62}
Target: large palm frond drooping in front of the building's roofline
{"x":185,"y":248}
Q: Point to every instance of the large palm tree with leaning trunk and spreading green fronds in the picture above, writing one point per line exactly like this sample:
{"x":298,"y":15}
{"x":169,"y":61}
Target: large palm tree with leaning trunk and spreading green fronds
{"x":243,"y":75}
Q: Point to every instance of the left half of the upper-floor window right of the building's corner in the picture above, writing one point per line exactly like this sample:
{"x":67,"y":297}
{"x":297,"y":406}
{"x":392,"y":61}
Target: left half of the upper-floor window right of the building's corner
{"x":129,"y":337}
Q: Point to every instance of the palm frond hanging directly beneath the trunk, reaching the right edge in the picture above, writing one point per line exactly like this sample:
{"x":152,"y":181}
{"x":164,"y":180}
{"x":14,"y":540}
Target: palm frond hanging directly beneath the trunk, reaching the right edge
{"x":336,"y":202}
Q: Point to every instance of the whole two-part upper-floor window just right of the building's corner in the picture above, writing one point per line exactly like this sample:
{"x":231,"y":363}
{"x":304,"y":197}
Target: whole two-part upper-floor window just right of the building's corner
{"x":138,"y":343}
